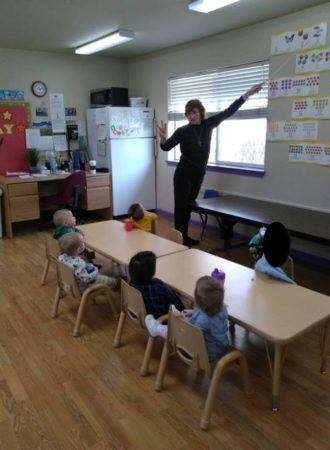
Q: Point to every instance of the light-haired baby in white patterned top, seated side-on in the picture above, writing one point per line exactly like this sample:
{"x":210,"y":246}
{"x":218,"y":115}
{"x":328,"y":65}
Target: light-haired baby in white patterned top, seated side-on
{"x":72,"y":245}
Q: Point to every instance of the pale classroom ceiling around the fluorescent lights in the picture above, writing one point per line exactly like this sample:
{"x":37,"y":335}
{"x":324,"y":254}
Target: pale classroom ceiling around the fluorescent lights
{"x":62,"y":25}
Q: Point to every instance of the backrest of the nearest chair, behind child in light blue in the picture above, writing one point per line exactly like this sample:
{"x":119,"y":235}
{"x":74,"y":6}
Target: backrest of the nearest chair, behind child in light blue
{"x":187,"y":342}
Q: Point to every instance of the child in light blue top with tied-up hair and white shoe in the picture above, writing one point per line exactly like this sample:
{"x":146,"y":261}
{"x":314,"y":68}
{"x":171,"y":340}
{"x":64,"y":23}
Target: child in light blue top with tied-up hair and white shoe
{"x":210,"y":315}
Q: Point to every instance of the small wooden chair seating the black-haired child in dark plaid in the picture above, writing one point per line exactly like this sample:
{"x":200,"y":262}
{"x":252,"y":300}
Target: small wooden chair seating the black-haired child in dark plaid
{"x":132,"y":305}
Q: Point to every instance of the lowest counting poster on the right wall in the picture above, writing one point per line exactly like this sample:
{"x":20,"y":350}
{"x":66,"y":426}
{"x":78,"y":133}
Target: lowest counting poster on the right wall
{"x":310,"y":153}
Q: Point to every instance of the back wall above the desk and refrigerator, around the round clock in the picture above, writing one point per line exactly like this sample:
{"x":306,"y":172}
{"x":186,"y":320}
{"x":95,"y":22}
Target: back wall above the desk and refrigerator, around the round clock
{"x":72,"y":75}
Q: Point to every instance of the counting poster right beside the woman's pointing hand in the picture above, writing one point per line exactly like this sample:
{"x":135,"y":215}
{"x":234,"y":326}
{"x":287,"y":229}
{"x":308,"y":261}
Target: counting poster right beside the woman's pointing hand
{"x":294,"y":86}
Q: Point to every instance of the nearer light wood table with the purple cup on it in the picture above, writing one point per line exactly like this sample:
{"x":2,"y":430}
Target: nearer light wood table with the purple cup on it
{"x":276,"y":311}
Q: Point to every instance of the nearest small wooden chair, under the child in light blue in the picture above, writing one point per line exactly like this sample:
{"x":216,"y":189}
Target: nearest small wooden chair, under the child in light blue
{"x":187,"y":342}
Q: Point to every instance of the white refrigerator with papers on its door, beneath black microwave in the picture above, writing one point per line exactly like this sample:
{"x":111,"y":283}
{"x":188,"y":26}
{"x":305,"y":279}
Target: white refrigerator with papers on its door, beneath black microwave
{"x":122,"y":140}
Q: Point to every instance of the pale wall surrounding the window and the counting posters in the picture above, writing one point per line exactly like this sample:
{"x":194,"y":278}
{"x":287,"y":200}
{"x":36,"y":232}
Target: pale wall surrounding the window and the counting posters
{"x":284,"y":182}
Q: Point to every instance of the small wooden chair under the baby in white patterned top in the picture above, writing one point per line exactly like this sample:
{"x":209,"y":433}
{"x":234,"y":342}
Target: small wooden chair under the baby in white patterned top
{"x":67,"y":284}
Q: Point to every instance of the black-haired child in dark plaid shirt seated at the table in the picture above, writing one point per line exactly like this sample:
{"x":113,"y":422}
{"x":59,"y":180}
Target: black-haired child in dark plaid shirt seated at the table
{"x":156,"y":294}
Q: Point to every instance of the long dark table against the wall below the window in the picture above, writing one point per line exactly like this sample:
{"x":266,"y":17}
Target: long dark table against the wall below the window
{"x":303,"y":223}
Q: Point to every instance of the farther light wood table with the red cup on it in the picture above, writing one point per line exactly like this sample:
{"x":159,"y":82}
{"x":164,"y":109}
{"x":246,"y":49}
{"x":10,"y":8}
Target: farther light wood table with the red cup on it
{"x":109,"y":238}
